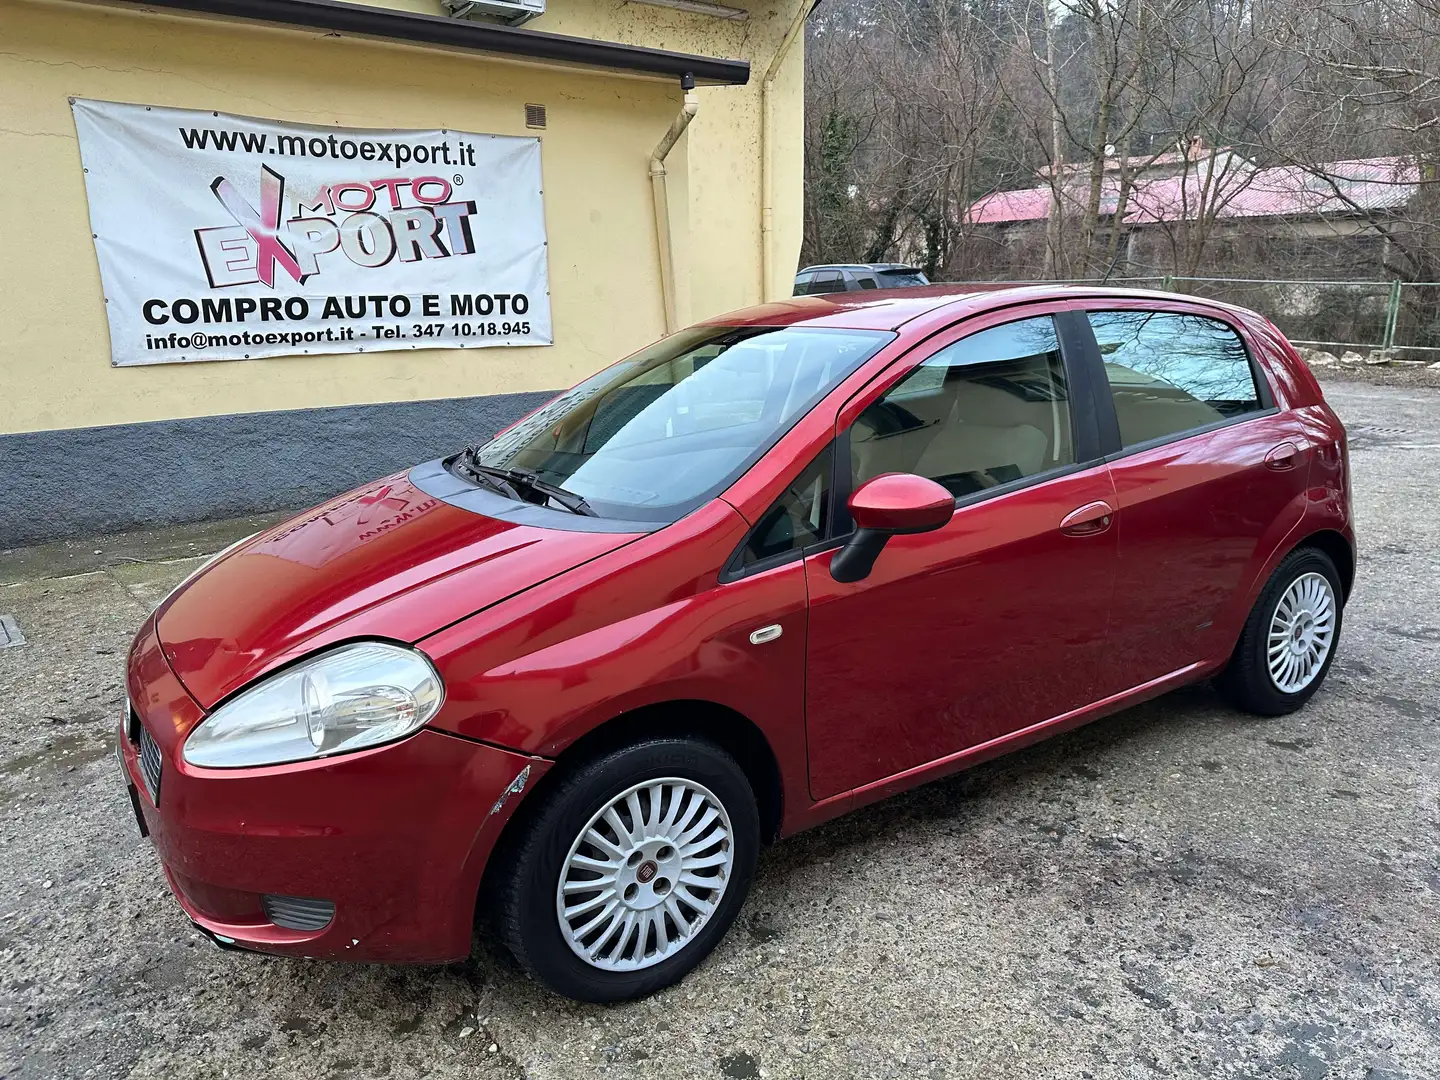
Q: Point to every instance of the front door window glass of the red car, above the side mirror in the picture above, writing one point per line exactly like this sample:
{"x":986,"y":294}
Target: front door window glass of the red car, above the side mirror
{"x":984,"y":411}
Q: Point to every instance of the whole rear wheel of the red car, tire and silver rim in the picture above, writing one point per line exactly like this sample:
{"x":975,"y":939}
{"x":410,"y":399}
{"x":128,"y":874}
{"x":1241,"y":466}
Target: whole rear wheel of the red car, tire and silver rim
{"x":1290,"y":640}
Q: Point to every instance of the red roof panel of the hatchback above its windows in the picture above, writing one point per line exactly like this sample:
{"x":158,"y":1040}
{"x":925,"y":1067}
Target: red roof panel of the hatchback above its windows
{"x":944,"y":305}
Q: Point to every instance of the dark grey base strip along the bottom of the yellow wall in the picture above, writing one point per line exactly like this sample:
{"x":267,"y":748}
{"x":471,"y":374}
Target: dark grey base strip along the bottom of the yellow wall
{"x":84,"y":482}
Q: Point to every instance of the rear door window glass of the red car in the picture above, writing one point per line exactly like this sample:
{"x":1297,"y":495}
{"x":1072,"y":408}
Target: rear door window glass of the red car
{"x":1171,"y":374}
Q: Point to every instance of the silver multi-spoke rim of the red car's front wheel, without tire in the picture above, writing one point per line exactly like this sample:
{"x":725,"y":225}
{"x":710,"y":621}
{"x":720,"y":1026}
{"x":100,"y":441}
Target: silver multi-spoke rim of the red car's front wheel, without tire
{"x":646,"y":873}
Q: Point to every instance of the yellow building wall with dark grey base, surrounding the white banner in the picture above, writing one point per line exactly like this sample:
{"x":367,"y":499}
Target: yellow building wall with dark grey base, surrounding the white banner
{"x":58,"y":391}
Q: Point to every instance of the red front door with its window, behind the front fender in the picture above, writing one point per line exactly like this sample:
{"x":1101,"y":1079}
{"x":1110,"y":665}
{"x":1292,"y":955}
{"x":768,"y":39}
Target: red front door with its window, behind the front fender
{"x":997,"y":621}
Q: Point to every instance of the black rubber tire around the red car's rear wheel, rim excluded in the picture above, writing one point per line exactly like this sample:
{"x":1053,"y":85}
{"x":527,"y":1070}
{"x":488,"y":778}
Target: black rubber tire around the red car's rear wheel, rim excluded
{"x":1246,"y":680}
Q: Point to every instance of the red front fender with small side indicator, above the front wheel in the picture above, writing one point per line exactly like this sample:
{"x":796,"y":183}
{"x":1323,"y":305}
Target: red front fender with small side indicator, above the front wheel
{"x":616,"y":636}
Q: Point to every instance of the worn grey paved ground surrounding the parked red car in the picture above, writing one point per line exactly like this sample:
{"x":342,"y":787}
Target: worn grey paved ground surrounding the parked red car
{"x":1174,"y":892}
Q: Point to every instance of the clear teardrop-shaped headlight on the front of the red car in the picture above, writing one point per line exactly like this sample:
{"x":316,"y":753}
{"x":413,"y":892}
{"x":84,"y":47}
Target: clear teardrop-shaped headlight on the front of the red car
{"x":342,"y":701}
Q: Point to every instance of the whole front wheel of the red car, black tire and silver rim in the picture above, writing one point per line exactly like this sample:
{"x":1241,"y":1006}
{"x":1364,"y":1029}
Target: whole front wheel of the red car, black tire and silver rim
{"x":630,"y":870}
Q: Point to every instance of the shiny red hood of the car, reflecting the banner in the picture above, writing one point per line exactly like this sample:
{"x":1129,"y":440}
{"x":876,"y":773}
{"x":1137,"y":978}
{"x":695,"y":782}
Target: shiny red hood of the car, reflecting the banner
{"x":387,"y":561}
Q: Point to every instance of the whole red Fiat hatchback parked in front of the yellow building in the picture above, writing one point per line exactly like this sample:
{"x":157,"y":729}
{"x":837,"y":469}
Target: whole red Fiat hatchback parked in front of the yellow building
{"x":767,"y":571}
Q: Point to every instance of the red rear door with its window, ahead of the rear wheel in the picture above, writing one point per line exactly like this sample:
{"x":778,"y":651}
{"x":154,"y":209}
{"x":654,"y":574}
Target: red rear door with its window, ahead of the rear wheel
{"x":1209,"y":474}
